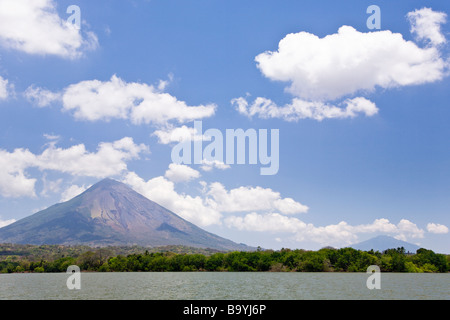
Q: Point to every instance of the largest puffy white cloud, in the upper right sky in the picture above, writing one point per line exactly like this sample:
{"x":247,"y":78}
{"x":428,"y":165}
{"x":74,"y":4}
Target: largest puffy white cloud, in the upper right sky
{"x":348,"y":62}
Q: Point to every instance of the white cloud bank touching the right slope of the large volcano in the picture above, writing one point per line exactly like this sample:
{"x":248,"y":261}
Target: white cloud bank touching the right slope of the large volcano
{"x":214,"y":201}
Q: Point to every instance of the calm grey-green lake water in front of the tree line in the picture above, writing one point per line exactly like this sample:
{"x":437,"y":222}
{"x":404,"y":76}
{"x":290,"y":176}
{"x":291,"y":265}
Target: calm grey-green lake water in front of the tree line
{"x":224,"y":286}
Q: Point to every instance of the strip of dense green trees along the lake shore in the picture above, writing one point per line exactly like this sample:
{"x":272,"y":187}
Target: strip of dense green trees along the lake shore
{"x":53,"y":258}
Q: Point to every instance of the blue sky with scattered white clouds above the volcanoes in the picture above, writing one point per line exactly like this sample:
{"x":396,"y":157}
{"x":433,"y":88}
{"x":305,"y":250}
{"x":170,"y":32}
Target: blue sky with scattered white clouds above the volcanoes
{"x":362,"y":114}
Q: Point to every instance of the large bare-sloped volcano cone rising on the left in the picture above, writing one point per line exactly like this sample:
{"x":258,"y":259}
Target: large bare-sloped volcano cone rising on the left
{"x":111,"y":213}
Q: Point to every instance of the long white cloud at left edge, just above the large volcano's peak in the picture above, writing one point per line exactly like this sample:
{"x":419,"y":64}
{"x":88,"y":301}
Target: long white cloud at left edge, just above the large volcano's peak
{"x":110,"y":159}
